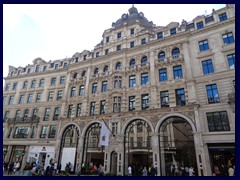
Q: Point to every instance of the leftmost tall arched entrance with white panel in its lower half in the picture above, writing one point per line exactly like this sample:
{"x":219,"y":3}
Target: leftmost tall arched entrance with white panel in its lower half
{"x":68,"y":147}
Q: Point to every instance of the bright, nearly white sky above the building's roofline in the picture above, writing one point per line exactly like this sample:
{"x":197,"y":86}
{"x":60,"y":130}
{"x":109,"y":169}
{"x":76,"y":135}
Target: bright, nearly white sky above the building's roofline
{"x":53,"y":31}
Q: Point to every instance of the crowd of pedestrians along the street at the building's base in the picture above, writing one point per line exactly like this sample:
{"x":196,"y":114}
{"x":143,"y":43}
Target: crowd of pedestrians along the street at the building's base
{"x":54,"y":168}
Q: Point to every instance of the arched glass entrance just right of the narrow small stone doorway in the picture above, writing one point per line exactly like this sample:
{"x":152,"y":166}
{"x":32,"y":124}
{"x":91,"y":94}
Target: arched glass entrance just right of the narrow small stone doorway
{"x":137,"y":146}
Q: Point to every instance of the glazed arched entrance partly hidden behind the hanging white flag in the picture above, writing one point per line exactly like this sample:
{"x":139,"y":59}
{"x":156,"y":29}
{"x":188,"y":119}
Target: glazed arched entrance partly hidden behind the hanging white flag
{"x":92,"y":153}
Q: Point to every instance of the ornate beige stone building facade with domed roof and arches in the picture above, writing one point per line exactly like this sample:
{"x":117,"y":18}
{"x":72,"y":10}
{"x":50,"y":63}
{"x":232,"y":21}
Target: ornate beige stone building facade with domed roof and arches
{"x":167,"y":95}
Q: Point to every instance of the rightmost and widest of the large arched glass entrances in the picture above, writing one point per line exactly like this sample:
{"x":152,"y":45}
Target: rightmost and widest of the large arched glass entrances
{"x":176,"y":146}
